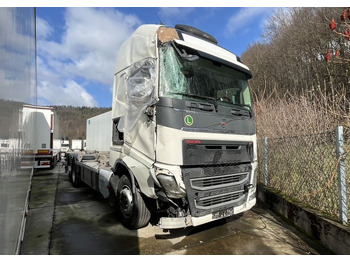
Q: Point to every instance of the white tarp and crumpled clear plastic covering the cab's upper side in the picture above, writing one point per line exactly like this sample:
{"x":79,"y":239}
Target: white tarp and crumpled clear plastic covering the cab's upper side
{"x":136,"y":76}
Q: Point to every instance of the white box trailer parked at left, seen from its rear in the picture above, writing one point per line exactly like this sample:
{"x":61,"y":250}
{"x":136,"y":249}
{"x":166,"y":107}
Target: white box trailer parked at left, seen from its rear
{"x":41,"y":145}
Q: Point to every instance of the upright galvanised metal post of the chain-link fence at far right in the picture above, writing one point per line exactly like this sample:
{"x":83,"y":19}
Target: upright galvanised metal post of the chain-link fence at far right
{"x":343,"y":207}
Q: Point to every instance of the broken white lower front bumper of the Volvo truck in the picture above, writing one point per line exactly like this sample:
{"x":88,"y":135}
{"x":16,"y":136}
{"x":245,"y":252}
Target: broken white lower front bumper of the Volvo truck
{"x":183,"y":222}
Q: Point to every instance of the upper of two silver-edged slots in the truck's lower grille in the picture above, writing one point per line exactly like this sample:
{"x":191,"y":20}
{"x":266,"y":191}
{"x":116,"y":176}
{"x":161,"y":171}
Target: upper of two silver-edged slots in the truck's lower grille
{"x":214,"y":182}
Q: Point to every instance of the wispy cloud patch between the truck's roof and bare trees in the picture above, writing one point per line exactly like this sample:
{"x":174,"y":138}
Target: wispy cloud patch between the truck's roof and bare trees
{"x":247,"y":16}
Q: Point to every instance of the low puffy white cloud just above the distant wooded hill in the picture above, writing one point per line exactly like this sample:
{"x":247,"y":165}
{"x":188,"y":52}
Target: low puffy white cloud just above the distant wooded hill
{"x":69,"y":94}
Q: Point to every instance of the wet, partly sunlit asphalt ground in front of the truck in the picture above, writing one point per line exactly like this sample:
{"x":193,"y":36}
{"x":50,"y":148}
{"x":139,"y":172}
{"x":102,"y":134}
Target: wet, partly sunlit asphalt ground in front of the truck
{"x":67,"y":220}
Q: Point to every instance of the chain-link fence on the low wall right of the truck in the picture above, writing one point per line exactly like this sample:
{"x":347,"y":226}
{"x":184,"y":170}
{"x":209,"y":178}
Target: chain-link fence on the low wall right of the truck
{"x":305,"y":169}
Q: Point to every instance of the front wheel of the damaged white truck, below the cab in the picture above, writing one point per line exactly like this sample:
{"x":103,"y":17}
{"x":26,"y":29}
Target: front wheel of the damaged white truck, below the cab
{"x":132,"y":210}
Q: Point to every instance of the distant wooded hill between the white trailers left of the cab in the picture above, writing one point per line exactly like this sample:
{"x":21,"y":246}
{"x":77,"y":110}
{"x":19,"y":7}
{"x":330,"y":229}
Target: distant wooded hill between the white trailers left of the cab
{"x":72,"y":120}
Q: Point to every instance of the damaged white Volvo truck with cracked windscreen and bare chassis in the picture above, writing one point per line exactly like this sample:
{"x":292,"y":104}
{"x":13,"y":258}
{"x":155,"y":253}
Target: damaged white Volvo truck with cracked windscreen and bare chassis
{"x":184,"y":132}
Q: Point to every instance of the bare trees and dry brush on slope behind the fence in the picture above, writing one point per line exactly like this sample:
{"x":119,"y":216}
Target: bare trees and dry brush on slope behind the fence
{"x":301,"y":71}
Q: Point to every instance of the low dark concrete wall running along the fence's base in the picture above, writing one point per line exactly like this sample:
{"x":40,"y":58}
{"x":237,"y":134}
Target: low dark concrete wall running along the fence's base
{"x":333,"y":235}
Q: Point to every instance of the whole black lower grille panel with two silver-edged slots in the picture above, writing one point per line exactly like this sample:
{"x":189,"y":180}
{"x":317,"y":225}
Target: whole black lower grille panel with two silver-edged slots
{"x":214,"y":188}
